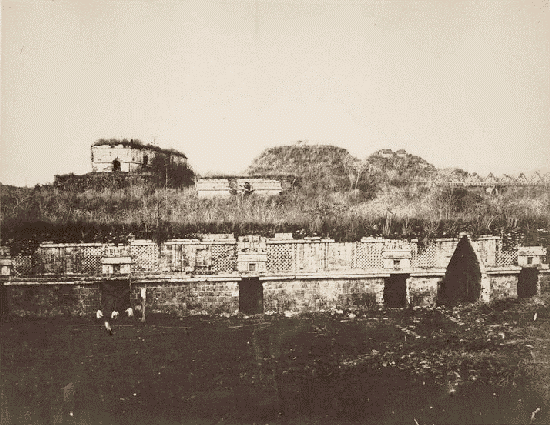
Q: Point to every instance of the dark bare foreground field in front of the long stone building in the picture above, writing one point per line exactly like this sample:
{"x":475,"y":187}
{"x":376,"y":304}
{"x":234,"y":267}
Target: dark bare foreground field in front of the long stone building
{"x":475,"y":364}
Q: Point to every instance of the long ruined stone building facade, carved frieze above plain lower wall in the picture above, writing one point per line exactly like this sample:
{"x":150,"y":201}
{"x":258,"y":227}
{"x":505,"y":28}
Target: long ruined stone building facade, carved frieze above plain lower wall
{"x":187,"y":276}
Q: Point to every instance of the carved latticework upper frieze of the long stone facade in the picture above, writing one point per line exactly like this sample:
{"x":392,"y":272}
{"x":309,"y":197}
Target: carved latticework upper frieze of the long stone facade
{"x":219,"y":254}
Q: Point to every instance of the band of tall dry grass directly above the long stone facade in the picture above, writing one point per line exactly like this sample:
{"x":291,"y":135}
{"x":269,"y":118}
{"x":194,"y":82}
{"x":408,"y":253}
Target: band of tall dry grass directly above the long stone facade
{"x":405,"y":211}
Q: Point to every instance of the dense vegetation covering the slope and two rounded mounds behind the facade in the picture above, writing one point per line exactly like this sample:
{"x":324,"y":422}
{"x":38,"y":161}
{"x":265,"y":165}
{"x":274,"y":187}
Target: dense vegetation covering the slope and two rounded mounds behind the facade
{"x":339,"y":196}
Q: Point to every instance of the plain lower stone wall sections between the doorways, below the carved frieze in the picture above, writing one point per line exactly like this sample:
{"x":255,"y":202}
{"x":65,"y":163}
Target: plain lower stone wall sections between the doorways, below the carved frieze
{"x":186,"y":295}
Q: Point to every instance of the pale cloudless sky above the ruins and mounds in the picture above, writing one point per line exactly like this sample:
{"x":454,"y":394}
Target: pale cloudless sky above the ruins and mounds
{"x":459,"y":83}
